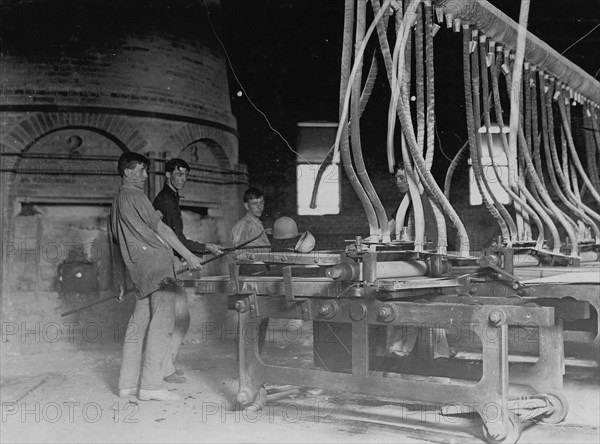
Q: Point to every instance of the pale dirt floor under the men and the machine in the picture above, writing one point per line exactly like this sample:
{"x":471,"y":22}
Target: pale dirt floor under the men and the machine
{"x":68,"y":395}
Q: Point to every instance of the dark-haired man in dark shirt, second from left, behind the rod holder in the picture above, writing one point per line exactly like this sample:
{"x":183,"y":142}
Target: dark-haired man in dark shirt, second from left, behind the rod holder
{"x":167,"y":202}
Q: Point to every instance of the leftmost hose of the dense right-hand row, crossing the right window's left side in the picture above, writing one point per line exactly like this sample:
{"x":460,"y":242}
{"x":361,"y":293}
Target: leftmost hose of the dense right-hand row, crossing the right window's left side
{"x":472,"y":106}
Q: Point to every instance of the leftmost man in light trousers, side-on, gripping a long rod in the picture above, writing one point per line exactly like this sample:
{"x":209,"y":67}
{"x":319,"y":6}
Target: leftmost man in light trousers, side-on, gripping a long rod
{"x":145,"y":247}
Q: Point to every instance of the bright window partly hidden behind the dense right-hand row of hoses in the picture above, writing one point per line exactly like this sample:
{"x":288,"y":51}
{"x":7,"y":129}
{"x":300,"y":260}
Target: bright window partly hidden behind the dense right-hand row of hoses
{"x":500,"y":160}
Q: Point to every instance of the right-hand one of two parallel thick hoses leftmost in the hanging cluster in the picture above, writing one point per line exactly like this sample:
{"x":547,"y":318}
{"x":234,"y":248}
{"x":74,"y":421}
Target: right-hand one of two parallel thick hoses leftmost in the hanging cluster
{"x":356,"y":144}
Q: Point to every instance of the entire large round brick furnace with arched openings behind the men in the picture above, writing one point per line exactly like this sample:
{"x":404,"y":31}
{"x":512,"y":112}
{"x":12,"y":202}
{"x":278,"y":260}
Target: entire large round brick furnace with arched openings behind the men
{"x":79,"y":86}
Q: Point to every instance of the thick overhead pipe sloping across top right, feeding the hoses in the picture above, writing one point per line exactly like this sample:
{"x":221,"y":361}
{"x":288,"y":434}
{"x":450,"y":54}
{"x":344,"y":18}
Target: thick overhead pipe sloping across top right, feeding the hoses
{"x":501,"y":28}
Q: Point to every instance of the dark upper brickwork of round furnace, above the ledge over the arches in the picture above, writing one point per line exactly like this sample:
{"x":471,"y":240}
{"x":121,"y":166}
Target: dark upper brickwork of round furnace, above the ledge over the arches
{"x":113,"y":55}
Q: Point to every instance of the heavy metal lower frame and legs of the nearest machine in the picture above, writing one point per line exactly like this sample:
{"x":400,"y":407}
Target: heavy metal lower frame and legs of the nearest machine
{"x":349,"y":357}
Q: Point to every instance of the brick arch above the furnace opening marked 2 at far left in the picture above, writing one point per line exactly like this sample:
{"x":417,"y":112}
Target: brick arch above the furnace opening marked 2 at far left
{"x":117,"y":128}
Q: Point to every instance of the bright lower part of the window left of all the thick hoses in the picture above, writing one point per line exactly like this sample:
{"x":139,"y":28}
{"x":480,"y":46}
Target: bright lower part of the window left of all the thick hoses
{"x":328,"y":196}
